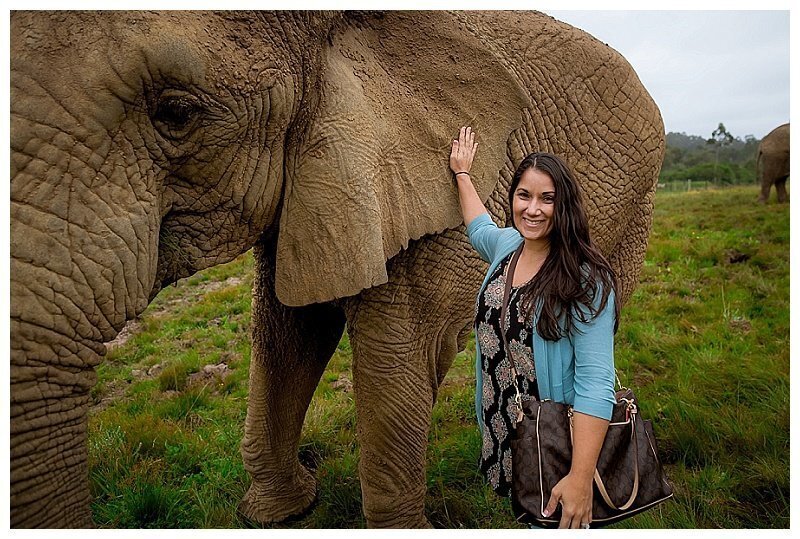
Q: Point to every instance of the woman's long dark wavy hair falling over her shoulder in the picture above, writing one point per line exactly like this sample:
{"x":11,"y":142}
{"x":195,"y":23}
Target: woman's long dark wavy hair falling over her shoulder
{"x":574,"y":270}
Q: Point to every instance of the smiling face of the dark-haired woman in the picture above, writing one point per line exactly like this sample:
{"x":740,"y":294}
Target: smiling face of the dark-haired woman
{"x":534,"y":202}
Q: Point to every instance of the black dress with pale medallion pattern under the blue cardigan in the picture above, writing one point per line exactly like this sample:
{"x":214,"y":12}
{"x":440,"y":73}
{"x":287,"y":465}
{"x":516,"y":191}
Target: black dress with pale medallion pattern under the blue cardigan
{"x":498,"y":386}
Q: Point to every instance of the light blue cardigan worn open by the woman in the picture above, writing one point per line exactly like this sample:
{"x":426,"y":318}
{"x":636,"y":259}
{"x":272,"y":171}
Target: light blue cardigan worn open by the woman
{"x":578,"y":370}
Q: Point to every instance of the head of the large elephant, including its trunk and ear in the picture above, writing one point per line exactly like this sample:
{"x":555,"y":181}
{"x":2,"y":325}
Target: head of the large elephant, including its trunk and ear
{"x":148,"y":146}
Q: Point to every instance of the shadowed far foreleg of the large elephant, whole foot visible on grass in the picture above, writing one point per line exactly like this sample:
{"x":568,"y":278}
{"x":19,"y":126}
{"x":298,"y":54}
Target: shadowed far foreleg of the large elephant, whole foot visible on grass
{"x":291,"y":347}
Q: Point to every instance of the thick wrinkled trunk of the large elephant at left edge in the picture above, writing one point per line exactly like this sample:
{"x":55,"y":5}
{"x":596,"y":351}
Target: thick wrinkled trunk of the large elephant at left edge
{"x":84,"y":251}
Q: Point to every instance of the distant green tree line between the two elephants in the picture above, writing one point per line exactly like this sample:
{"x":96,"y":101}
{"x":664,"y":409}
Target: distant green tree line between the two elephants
{"x":721,"y":159}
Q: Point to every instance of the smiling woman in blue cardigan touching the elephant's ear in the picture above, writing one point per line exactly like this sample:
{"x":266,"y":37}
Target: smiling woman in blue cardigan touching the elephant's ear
{"x":560,"y":320}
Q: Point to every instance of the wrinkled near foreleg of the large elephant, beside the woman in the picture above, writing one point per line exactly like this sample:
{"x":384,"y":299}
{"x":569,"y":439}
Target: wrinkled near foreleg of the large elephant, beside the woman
{"x":405,"y":335}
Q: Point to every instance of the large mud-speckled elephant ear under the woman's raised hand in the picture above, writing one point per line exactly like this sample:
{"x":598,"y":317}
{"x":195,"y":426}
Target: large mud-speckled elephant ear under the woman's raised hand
{"x":373,"y":170}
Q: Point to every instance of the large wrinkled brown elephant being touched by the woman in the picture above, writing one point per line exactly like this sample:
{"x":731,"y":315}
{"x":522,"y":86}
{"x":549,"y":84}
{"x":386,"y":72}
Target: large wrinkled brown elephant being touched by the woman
{"x":146,"y":146}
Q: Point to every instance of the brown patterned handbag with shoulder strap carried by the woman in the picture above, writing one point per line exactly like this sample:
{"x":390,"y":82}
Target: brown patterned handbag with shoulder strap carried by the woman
{"x":628,"y":478}
